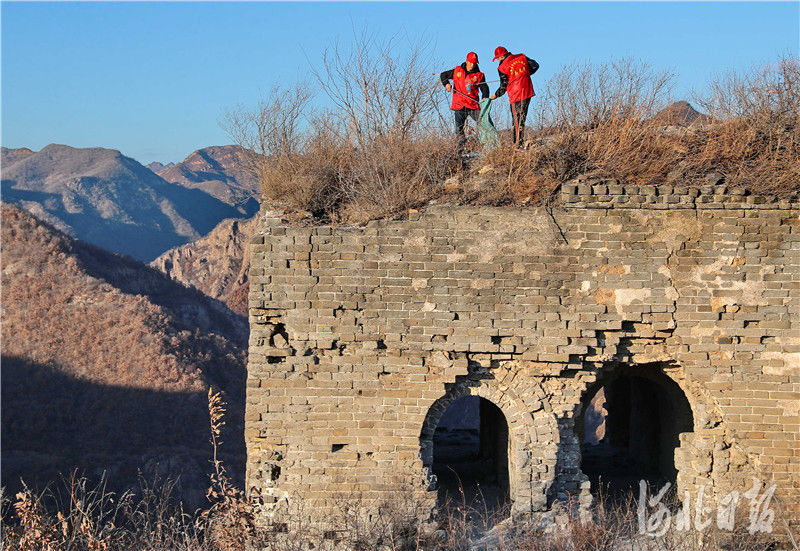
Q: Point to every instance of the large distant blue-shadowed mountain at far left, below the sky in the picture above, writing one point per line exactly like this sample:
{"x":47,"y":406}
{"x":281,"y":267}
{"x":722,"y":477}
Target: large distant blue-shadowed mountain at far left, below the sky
{"x":104,"y":198}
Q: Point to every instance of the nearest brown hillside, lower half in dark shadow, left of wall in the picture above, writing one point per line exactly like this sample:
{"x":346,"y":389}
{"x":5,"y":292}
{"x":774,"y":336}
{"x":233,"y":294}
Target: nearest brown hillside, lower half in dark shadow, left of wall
{"x":106,"y":363}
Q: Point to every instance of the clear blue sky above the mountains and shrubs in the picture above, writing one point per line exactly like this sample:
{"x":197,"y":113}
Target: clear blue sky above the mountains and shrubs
{"x":153,"y":79}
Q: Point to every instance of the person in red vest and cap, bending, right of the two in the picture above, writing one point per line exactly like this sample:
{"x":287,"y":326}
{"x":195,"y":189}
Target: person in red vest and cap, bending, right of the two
{"x":515,"y":77}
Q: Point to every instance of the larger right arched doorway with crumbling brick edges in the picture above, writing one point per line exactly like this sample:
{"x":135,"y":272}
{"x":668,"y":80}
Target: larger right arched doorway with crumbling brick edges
{"x":629,"y":428}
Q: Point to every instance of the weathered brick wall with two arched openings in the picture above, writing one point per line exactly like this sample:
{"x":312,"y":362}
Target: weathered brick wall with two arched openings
{"x":361,"y":337}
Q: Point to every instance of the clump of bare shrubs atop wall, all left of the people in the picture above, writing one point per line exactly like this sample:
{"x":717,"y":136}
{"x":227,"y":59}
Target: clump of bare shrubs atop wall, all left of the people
{"x":380,"y":149}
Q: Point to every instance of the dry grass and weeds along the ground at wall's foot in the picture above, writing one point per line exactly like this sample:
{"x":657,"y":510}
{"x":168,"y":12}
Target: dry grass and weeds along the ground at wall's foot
{"x":92,"y":518}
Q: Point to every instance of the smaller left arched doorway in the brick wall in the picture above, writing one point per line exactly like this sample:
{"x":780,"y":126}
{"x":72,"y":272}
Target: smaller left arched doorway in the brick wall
{"x":470,"y":455}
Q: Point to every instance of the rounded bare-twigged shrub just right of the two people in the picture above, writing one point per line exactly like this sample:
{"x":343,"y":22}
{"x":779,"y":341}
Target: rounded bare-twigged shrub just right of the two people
{"x":597,"y":117}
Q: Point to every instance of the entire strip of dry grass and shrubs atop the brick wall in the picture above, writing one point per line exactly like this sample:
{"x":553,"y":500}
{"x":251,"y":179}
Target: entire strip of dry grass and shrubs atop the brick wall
{"x":378,"y":154}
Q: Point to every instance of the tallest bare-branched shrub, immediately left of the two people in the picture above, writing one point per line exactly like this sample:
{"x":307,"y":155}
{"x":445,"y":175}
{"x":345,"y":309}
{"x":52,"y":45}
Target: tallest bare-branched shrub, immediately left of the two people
{"x":387,"y":119}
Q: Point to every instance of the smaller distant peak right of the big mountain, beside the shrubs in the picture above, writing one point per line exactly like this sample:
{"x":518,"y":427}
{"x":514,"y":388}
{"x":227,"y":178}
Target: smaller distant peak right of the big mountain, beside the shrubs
{"x":220,"y":171}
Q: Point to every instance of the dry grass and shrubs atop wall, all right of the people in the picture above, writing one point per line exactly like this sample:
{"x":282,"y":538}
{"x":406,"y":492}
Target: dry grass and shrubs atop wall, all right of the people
{"x":609,"y":120}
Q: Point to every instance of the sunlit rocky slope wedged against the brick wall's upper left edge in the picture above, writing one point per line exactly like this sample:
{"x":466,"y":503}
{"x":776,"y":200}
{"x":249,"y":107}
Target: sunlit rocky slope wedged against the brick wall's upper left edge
{"x":217,"y":264}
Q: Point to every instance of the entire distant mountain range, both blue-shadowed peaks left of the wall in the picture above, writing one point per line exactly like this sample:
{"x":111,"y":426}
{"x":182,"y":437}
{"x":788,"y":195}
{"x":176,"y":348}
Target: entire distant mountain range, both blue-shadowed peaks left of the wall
{"x":105,"y":198}
